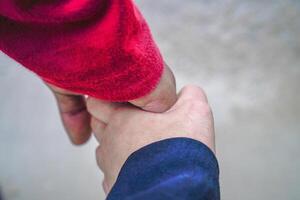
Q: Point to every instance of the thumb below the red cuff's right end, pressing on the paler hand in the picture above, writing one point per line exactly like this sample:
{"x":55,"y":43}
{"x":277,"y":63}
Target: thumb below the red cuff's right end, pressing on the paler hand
{"x":162,"y":97}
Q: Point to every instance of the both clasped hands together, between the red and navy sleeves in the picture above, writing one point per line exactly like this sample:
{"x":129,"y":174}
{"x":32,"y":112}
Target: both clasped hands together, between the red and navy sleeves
{"x":123,"y":128}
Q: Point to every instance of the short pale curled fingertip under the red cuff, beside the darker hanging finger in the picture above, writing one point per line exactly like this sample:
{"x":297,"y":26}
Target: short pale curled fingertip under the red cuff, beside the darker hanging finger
{"x":101,"y":110}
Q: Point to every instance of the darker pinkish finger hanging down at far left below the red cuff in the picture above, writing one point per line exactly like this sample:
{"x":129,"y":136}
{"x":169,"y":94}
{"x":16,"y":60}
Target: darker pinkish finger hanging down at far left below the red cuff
{"x":74,"y":116}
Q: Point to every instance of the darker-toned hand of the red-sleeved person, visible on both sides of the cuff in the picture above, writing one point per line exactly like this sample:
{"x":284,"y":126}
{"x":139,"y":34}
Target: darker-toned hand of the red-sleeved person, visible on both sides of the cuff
{"x":76,"y":119}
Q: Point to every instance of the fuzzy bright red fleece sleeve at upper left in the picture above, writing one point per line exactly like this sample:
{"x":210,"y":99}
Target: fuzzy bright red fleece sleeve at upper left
{"x":102,"y":48}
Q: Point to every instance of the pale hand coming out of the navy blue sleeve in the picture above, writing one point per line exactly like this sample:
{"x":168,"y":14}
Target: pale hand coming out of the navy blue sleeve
{"x":122,"y":129}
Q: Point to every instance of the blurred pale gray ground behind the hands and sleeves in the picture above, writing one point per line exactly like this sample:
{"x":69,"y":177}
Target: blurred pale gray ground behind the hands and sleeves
{"x":245,"y":54}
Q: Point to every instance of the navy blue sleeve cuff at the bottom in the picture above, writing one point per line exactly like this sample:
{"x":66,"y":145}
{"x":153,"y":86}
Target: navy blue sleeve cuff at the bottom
{"x":177,"y":169}
